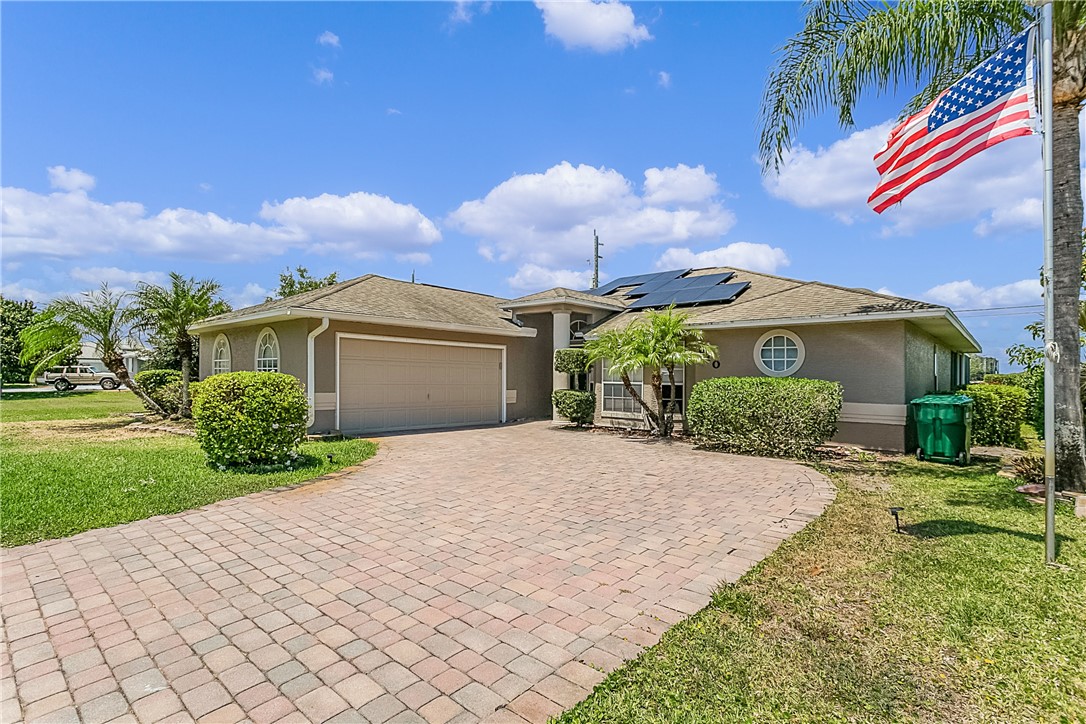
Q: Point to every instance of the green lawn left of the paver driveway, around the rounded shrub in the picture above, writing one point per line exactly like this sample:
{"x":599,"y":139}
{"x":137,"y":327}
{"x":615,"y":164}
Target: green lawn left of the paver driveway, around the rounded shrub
{"x":69,"y":467}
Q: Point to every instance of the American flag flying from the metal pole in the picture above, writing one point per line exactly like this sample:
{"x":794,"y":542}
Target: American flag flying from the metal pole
{"x":991,"y":105}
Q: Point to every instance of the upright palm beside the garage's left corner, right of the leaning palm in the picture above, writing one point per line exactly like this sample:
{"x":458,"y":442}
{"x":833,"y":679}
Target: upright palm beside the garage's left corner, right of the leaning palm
{"x":171,"y":311}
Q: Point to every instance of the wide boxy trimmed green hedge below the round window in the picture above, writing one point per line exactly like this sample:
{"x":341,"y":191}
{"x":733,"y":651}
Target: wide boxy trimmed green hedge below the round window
{"x":787,"y":417}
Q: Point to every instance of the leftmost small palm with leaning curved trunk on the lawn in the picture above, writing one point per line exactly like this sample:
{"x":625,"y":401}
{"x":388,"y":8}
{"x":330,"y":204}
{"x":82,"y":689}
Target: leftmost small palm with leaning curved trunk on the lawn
{"x":103,"y":316}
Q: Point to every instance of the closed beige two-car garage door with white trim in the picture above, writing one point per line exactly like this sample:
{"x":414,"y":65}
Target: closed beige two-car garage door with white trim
{"x":403,"y":386}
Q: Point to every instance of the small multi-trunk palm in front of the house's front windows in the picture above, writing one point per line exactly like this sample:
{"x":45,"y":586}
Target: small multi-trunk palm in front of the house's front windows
{"x":655,"y":344}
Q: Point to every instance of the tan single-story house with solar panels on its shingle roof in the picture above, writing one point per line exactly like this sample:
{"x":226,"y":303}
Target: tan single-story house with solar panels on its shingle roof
{"x":377,"y":354}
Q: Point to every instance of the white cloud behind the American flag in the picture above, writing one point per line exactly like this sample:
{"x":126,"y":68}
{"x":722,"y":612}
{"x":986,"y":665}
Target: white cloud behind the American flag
{"x":1000,"y":189}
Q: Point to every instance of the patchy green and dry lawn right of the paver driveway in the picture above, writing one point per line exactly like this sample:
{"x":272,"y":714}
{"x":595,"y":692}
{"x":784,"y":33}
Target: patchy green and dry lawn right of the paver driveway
{"x":849,"y":621}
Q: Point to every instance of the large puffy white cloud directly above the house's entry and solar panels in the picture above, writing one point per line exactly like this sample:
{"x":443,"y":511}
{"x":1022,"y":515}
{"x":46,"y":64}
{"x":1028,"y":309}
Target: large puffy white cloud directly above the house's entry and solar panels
{"x":548,"y":219}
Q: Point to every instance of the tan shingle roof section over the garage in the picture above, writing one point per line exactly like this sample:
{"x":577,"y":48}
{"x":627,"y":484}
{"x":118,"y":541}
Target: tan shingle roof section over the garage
{"x":380,"y":297}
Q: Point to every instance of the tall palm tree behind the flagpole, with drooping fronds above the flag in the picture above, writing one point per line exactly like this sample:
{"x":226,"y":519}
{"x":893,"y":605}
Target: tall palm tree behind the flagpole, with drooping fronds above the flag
{"x":848,"y":48}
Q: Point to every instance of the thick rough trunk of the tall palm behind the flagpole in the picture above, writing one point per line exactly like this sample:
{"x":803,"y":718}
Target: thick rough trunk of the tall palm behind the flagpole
{"x":1067,"y":283}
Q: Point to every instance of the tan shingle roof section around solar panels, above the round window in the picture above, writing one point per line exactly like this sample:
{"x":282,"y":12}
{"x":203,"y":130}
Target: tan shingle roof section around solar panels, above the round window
{"x":771,"y":297}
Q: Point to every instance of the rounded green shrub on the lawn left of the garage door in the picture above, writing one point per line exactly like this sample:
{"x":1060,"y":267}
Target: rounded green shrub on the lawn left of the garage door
{"x":250,"y":418}
